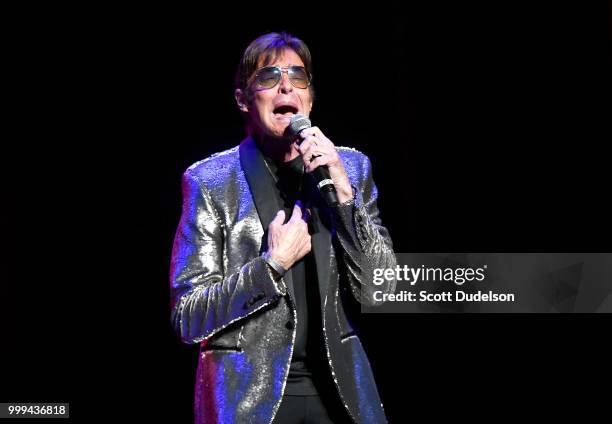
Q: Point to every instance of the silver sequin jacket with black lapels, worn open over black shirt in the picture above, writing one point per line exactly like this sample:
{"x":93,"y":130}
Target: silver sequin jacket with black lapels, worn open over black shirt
{"x":224,"y":297}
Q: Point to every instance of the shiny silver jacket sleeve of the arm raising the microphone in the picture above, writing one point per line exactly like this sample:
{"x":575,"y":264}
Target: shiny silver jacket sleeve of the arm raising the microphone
{"x":366,"y":244}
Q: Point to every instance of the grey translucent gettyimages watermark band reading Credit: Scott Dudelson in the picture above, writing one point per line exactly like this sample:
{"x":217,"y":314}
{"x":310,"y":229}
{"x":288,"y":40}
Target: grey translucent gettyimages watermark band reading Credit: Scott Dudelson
{"x":509,"y":282}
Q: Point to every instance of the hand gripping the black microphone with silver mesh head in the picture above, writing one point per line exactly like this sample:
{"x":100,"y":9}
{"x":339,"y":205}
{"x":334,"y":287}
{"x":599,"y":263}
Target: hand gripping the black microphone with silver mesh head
{"x":321,"y":160}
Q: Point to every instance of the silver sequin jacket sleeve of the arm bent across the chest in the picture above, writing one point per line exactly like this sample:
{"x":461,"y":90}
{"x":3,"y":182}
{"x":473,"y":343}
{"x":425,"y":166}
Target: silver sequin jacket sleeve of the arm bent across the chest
{"x":203,"y":299}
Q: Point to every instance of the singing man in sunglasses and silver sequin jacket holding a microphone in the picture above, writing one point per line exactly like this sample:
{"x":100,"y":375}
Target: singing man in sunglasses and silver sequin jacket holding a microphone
{"x":265,"y":275}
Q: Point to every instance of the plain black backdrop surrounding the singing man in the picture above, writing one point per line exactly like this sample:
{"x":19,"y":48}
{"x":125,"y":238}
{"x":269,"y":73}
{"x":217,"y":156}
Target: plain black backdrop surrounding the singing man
{"x":488,"y":129}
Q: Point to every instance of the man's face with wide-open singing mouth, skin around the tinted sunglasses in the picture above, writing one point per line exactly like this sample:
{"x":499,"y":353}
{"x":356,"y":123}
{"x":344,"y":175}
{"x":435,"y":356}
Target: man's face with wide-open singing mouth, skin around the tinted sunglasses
{"x":272,"y":108}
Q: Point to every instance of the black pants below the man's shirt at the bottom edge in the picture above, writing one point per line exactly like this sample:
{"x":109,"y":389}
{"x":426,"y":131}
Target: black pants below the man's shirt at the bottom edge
{"x":311,"y":410}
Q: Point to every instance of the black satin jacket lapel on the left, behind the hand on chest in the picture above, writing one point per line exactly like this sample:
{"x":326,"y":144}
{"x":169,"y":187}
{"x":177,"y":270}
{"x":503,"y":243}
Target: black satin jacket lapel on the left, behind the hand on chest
{"x":260,"y":182}
